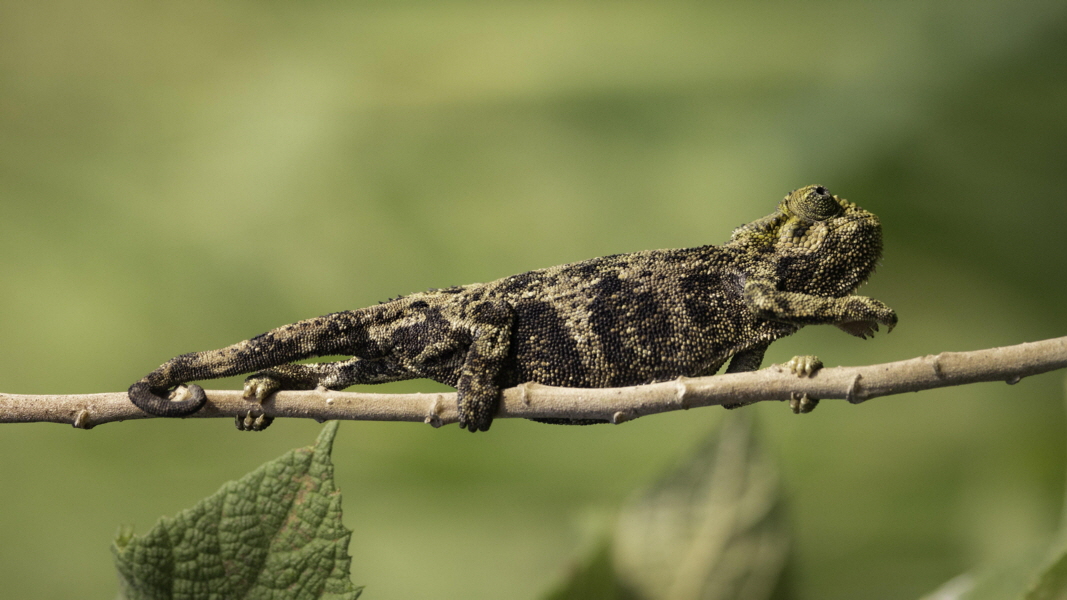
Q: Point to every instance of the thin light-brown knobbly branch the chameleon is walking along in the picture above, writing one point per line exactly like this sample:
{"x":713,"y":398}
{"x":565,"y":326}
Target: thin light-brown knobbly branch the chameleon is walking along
{"x":616,"y":405}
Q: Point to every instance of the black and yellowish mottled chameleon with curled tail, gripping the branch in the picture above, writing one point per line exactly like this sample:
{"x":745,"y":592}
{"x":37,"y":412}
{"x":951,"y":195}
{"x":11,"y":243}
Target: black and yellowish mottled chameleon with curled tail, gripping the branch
{"x":617,"y":321}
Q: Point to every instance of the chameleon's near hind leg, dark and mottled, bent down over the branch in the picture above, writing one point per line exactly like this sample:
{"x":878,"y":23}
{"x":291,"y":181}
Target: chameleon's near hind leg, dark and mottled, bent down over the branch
{"x":479,"y":390}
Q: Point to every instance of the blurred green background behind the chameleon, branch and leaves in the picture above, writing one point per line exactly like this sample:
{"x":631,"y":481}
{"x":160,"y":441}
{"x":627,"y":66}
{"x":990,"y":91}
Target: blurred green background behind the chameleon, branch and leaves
{"x":178,"y":177}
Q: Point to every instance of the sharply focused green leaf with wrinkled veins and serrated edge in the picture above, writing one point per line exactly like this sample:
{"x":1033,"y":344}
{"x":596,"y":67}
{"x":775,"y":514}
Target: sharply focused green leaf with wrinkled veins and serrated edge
{"x":276,"y":533}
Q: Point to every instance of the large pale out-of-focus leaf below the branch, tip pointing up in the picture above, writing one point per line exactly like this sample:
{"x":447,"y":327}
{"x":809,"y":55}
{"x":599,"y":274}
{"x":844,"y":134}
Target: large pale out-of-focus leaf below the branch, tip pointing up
{"x":712,"y":530}
